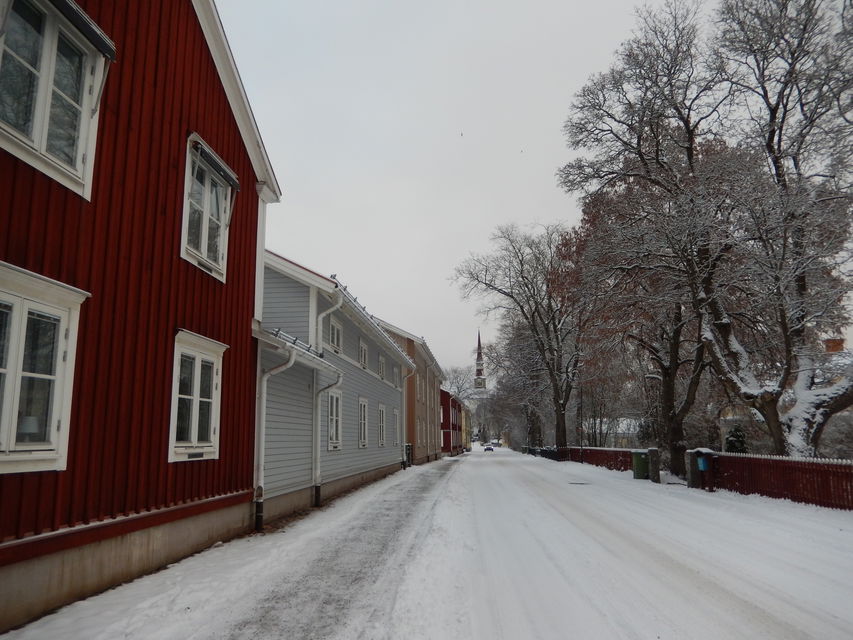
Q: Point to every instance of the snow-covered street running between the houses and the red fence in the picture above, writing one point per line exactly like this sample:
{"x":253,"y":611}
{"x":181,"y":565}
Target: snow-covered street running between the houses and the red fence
{"x":498,"y":545}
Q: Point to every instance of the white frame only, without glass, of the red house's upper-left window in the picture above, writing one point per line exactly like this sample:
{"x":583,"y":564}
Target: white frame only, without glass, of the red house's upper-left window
{"x":31,"y":147}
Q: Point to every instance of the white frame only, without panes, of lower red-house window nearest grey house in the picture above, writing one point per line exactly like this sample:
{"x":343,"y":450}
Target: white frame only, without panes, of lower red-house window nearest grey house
{"x":202,"y":349}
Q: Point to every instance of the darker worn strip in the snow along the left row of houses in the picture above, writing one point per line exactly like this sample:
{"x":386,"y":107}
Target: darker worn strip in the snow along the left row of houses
{"x":333,"y":592}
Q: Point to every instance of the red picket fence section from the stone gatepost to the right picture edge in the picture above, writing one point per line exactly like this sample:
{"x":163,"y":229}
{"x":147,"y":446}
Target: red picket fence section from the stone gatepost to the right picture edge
{"x":828,"y":483}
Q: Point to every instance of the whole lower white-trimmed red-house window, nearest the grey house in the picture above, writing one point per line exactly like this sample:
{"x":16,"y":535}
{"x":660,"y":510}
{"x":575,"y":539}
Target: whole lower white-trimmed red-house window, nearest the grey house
{"x":196,"y":395}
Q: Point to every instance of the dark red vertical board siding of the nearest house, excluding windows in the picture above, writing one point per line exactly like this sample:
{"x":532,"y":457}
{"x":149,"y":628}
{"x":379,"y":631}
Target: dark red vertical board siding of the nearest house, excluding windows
{"x":124,"y":248}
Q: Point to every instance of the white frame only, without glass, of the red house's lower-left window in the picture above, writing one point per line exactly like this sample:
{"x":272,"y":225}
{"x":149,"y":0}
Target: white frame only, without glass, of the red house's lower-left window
{"x":27,"y":292}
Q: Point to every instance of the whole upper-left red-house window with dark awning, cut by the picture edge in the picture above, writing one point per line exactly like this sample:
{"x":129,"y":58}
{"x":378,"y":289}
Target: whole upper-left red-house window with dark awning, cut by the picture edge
{"x":53,"y":63}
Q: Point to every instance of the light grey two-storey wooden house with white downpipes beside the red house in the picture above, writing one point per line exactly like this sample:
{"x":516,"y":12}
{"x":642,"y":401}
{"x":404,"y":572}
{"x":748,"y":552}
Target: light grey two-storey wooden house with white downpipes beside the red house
{"x":331,"y":404}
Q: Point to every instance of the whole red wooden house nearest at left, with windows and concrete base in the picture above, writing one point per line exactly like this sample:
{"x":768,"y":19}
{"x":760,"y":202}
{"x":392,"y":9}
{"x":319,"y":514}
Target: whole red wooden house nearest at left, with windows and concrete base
{"x":134,"y":187}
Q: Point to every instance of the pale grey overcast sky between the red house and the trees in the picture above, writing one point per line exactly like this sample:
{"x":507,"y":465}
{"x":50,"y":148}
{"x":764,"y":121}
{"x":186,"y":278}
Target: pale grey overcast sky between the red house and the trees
{"x":404,"y":132}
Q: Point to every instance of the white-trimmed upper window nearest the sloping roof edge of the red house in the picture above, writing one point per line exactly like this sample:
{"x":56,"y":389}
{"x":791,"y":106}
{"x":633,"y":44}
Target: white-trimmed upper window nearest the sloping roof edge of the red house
{"x":210,"y":187}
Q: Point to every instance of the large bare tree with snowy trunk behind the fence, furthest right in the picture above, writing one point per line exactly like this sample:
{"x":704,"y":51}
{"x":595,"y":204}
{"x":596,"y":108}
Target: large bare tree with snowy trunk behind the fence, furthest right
{"x":730,"y":159}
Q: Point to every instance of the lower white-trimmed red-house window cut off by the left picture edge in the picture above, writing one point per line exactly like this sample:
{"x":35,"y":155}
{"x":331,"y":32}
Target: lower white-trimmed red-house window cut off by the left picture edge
{"x":38,"y":340}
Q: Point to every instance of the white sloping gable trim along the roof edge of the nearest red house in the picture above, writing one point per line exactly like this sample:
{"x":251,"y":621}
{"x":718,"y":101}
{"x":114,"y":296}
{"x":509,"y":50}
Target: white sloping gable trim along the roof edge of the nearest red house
{"x":217,"y":42}
